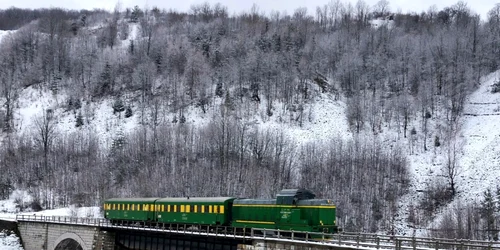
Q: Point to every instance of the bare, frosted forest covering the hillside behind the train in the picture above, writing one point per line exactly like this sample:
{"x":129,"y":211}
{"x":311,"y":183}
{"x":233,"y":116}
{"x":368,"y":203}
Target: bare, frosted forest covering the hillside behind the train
{"x":409,"y":77}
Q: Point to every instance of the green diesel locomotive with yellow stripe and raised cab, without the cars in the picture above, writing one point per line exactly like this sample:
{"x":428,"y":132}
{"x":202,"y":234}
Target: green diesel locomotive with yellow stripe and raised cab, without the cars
{"x":293,"y":209}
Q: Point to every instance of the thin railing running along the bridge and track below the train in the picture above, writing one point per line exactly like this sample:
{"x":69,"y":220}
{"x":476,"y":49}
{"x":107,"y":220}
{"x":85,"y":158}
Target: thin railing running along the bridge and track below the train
{"x":344,"y":240}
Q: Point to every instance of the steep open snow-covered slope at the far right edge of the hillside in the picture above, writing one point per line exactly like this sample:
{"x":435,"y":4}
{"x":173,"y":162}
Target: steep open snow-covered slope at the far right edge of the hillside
{"x":480,"y":158}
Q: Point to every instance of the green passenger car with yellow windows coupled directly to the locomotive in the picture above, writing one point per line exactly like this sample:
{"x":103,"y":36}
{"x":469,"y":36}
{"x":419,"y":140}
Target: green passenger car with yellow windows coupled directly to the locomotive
{"x":204,"y":211}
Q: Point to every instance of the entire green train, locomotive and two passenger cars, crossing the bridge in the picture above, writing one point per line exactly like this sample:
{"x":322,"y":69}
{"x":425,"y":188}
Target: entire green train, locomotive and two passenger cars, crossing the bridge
{"x":293,"y":209}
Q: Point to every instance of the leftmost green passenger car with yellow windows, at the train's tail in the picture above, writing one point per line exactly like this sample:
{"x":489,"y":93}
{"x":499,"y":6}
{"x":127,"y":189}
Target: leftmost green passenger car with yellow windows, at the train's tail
{"x":130,"y":209}
